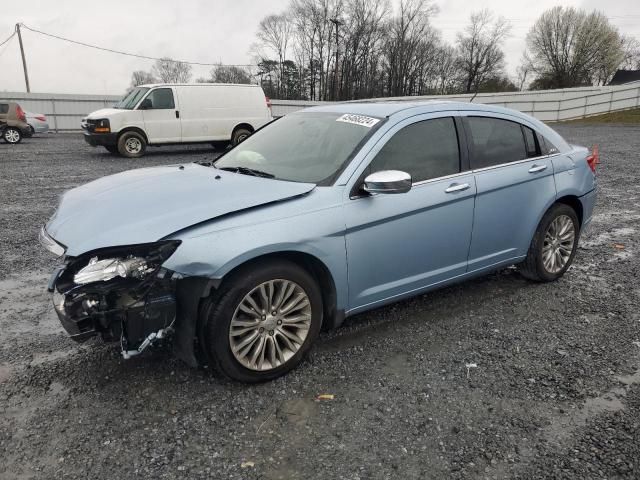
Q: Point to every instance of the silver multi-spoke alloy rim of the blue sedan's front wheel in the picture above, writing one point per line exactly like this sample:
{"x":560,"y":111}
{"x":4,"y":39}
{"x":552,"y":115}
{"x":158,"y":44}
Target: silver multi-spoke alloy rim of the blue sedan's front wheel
{"x":270,"y":325}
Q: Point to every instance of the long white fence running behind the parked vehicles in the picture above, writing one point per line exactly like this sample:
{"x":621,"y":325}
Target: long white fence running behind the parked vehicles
{"x":66,"y":111}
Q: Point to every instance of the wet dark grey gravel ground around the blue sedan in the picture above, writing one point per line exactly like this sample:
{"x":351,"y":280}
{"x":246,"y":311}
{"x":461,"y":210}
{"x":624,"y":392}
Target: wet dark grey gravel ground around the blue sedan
{"x":555,"y":394}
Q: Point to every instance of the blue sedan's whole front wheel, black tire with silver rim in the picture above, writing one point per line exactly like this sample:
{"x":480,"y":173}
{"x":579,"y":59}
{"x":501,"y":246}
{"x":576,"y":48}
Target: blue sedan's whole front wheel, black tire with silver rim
{"x":263,"y":321}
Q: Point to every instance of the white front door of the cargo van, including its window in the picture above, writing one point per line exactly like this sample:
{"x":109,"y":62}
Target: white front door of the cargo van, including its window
{"x":161,"y":116}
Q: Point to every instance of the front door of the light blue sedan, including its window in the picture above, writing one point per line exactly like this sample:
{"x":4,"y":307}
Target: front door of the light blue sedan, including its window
{"x":402,"y":243}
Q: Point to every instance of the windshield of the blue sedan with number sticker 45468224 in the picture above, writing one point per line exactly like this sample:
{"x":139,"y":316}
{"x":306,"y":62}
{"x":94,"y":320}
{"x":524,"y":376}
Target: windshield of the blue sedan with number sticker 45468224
{"x":310,"y":147}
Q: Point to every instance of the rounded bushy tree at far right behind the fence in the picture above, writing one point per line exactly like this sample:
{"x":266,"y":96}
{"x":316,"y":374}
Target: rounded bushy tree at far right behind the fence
{"x":570,"y":47}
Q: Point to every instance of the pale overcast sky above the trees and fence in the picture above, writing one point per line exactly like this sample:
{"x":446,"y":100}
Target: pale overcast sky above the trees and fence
{"x":201,"y":31}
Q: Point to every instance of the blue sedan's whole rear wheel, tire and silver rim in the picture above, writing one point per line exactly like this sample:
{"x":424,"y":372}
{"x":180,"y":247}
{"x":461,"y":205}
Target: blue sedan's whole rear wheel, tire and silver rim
{"x":554,"y":245}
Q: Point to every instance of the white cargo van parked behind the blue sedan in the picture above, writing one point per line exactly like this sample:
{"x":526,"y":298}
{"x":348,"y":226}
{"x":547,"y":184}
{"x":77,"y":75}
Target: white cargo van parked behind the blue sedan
{"x":162,"y":114}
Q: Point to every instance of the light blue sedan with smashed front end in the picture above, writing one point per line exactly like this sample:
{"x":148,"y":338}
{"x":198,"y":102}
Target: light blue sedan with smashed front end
{"x":320,"y":215}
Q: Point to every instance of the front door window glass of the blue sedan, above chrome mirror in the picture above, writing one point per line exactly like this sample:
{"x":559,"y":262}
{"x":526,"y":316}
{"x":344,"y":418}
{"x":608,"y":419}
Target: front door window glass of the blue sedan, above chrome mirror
{"x":425,"y":150}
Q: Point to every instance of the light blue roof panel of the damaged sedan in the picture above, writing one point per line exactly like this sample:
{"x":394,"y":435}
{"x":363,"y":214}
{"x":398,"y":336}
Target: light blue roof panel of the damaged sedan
{"x":390,"y":108}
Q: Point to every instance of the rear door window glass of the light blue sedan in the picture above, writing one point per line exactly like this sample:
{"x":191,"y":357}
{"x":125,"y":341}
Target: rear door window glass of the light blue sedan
{"x":495,"y":141}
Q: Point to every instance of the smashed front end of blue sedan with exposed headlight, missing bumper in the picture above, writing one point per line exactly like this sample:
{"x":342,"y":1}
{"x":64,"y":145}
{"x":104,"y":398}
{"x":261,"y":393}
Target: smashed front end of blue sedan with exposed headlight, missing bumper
{"x":122,"y":294}
